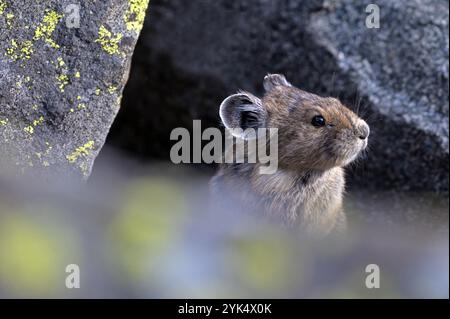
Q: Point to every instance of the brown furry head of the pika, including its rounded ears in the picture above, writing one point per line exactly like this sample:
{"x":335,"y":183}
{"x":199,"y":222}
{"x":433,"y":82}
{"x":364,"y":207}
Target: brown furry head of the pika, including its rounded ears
{"x":314,"y":133}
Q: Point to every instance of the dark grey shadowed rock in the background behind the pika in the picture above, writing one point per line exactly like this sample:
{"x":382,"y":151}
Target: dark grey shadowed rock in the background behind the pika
{"x":194,"y":53}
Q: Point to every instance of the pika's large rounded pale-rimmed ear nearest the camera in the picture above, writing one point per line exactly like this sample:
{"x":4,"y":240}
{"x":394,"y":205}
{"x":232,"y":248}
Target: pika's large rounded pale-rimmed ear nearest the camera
{"x":242,"y":111}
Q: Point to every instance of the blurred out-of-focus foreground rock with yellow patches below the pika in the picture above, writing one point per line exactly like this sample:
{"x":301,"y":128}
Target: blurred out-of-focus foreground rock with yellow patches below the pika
{"x":150,"y":234}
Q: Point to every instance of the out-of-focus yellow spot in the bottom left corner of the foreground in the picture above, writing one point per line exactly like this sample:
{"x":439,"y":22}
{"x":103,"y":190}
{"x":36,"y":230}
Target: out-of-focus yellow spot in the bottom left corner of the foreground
{"x":33,"y":256}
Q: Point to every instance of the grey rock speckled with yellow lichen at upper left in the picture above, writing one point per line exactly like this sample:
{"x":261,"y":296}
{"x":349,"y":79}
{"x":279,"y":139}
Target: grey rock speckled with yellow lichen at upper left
{"x":60,"y":86}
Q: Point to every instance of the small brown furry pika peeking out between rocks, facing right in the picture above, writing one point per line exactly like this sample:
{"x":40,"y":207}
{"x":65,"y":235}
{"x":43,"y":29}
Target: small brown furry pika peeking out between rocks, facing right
{"x":317,"y":138}
